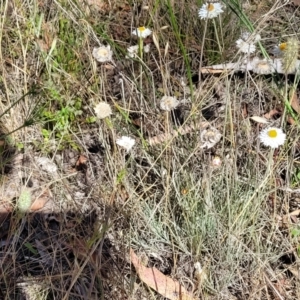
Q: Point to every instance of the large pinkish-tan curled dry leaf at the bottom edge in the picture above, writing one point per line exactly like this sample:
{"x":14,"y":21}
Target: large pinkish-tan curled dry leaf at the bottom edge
{"x":165,"y":286}
